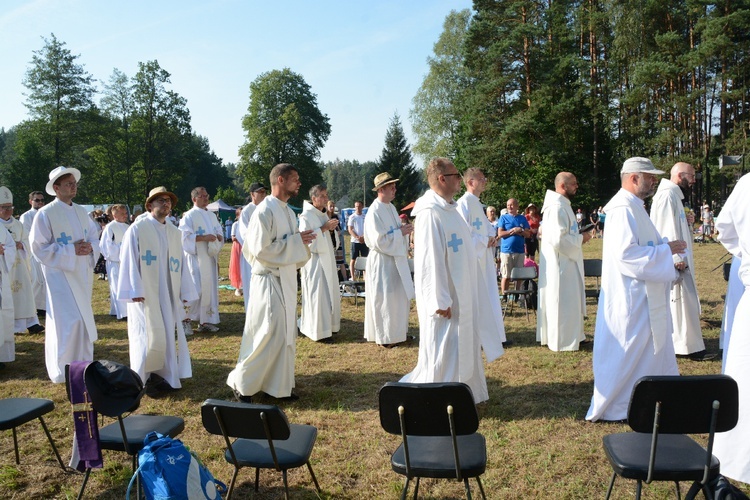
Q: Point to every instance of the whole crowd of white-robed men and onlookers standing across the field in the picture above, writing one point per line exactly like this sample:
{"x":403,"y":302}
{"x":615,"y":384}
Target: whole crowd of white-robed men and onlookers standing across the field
{"x":163,"y":279}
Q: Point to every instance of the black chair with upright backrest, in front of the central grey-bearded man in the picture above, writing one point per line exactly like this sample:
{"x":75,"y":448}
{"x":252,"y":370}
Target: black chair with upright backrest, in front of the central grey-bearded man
{"x":438,"y":425}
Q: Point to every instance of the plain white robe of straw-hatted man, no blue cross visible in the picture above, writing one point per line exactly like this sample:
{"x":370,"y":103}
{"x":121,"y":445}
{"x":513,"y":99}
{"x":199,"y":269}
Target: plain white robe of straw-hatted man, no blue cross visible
{"x":388,"y":283}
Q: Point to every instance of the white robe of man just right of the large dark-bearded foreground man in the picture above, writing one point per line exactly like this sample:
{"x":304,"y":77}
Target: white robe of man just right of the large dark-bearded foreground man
{"x":321,"y":299}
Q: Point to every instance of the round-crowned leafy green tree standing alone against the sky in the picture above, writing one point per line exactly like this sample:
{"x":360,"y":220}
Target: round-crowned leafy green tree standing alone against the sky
{"x":283,"y":125}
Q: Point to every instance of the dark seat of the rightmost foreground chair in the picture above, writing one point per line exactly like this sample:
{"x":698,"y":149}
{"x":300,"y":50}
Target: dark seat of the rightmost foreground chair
{"x":678,"y":457}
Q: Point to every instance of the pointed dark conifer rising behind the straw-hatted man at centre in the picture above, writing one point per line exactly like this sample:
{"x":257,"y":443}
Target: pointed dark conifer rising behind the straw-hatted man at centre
{"x":396,"y":159}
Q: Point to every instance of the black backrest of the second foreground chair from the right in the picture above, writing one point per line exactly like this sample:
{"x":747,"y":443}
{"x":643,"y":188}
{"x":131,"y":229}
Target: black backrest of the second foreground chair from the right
{"x":425,"y":408}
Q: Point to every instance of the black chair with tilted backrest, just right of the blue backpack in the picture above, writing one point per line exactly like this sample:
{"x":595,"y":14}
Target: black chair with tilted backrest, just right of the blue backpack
{"x":264,"y":438}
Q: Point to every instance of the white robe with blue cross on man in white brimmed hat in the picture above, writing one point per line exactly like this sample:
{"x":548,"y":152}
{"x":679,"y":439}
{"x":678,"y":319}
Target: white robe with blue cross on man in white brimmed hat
{"x":70,"y":330}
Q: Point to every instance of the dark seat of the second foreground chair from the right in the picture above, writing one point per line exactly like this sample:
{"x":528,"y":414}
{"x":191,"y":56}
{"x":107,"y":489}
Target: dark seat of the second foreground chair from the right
{"x":432,"y":456}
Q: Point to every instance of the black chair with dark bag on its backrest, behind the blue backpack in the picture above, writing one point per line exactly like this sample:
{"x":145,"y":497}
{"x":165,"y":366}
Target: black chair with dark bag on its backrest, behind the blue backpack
{"x":114,"y":390}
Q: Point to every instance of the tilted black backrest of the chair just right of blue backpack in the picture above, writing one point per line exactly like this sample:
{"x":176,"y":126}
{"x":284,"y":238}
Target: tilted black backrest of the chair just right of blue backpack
{"x":243,"y":420}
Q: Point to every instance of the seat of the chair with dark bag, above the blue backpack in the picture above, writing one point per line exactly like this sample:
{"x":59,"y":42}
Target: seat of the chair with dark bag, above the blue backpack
{"x":136,"y":428}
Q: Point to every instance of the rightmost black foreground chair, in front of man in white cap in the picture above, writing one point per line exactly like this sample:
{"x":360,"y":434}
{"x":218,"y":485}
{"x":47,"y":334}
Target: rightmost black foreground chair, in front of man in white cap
{"x":662,"y":410}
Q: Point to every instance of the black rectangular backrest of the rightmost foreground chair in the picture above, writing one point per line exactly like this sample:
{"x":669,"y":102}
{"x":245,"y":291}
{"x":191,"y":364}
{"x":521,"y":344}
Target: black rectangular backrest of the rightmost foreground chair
{"x":686,"y":403}
